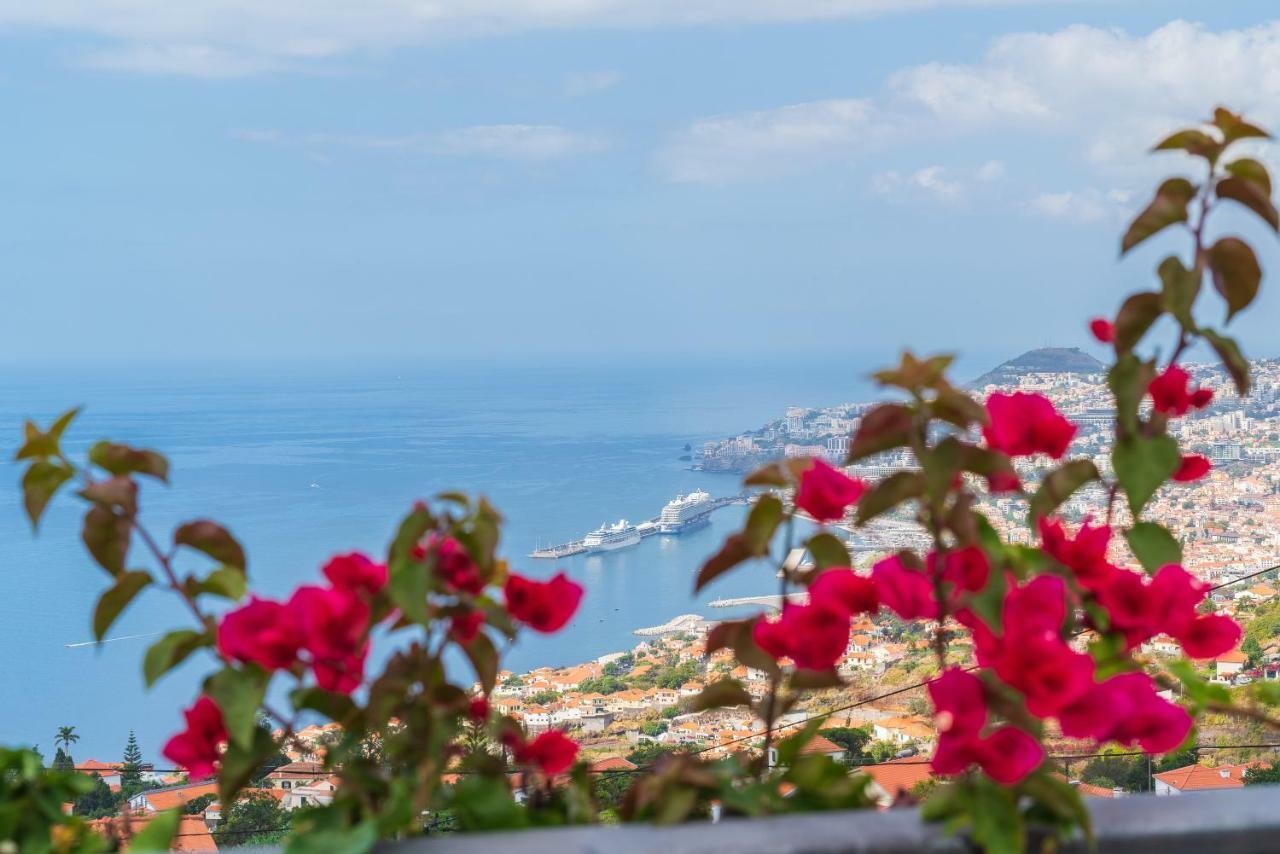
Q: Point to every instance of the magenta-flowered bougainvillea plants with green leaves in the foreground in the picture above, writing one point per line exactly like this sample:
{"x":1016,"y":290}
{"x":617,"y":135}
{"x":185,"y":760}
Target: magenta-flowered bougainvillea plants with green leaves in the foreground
{"x":442,"y":595}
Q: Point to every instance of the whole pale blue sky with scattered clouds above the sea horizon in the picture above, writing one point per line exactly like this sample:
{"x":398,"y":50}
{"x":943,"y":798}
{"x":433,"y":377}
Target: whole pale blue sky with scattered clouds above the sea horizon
{"x":529,"y":179}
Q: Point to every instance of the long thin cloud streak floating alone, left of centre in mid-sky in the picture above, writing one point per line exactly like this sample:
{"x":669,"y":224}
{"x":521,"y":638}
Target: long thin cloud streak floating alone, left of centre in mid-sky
{"x":523,"y":143}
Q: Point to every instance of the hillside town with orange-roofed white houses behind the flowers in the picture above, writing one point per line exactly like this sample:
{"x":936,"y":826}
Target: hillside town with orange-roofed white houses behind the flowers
{"x":629,"y":707}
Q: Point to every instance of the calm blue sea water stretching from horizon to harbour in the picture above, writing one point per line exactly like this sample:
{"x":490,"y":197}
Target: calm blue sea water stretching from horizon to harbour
{"x":559,"y":450}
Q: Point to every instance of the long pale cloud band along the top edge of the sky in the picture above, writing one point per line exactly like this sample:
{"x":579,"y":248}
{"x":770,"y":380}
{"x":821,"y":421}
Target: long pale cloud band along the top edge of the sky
{"x":228,"y":38}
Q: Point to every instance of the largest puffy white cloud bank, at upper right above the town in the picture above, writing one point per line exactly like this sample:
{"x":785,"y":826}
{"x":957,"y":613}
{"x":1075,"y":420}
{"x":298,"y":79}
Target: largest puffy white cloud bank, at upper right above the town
{"x":1107,"y":93}
